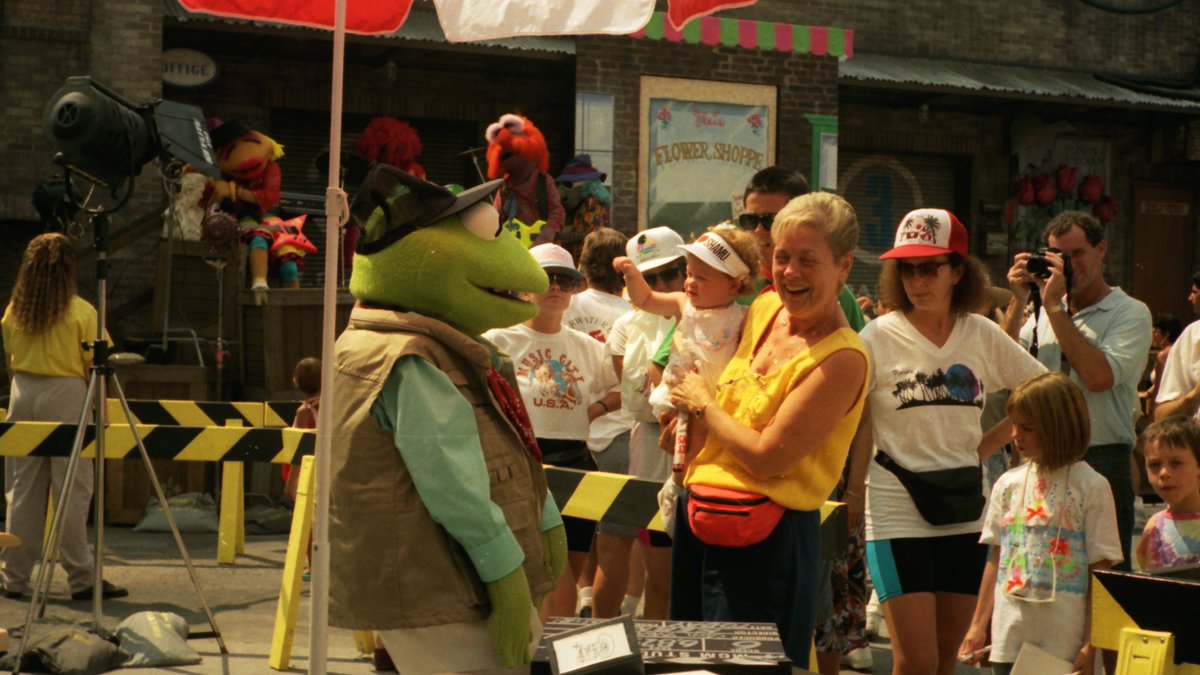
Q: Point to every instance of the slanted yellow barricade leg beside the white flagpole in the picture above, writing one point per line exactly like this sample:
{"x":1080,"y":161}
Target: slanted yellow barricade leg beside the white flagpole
{"x":293,"y":570}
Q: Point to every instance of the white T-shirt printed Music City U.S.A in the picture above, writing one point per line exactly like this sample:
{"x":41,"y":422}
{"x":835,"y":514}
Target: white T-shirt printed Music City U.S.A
{"x":560,"y":377}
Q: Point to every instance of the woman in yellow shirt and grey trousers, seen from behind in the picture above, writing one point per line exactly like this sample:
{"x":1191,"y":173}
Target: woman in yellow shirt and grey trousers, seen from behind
{"x":45,"y":330}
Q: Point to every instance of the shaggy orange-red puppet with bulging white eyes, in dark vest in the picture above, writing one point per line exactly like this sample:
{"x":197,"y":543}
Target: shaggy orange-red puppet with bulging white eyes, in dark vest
{"x":529,"y":201}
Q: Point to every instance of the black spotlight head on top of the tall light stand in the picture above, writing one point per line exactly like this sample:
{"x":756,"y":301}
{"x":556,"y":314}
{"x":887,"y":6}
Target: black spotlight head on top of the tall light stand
{"x":109,"y":140}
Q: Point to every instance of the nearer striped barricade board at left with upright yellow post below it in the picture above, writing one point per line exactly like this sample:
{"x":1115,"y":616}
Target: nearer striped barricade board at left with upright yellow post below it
{"x":232,"y":446}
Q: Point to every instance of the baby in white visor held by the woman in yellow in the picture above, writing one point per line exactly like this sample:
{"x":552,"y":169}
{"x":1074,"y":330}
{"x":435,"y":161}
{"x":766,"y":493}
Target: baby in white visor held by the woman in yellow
{"x":723,"y":265}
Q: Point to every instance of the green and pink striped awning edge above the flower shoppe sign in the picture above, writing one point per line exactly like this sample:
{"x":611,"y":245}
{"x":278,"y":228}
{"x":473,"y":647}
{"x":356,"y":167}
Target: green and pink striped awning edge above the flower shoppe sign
{"x":754,"y":35}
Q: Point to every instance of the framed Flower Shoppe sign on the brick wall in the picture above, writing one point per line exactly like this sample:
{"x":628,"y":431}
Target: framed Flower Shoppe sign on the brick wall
{"x":701,"y":144}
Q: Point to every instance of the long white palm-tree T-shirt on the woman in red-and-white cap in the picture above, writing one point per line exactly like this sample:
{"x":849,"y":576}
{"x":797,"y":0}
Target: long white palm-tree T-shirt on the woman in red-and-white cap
{"x":926,"y":408}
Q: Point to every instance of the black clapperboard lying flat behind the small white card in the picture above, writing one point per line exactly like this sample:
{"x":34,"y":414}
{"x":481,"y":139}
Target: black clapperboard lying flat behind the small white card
{"x":675,"y":647}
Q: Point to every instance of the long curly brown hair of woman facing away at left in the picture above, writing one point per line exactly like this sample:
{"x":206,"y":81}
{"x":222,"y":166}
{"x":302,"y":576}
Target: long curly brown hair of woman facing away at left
{"x":46,"y":284}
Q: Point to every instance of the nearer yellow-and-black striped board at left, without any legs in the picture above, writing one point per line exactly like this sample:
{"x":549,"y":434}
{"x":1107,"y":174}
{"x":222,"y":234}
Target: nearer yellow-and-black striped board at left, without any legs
{"x":166,"y":443}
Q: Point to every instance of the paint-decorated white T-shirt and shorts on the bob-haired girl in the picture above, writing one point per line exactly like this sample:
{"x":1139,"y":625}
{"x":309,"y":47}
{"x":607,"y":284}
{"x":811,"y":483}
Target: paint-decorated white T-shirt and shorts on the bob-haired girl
{"x":1051,"y":527}
